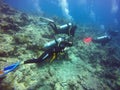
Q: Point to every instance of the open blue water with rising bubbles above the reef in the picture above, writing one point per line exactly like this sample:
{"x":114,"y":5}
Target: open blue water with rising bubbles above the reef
{"x":101,"y":12}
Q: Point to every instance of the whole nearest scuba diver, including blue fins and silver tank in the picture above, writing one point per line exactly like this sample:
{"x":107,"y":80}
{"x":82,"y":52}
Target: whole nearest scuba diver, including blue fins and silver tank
{"x":52,"y":49}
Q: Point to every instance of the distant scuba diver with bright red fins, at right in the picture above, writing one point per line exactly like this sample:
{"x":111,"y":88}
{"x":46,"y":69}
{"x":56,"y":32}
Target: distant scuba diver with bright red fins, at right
{"x":103,"y":40}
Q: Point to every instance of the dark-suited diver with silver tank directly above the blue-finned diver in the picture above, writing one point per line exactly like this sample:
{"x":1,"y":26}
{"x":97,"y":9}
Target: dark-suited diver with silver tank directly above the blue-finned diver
{"x":68,"y":29}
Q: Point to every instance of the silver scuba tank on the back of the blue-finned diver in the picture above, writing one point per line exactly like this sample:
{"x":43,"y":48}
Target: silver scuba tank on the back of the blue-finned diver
{"x":52,"y":43}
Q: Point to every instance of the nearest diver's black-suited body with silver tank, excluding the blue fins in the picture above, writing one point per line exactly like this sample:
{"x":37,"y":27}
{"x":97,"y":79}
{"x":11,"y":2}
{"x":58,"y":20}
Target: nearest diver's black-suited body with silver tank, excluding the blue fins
{"x":53,"y":49}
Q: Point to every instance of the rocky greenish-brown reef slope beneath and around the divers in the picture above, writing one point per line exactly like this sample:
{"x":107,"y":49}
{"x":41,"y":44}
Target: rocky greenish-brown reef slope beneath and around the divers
{"x":86,"y":67}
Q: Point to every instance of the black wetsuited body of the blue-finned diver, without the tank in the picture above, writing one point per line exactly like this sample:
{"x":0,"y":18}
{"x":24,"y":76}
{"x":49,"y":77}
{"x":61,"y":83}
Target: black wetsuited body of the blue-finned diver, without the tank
{"x":50,"y":53}
